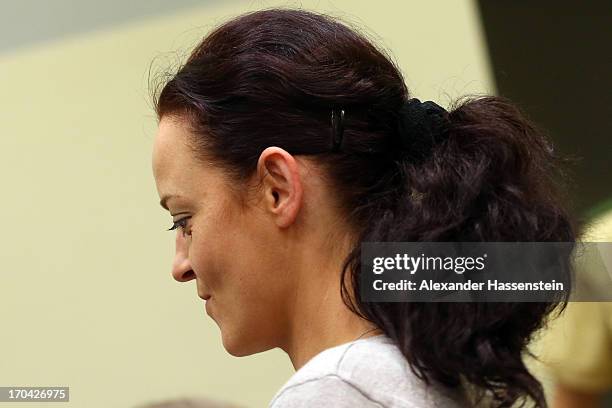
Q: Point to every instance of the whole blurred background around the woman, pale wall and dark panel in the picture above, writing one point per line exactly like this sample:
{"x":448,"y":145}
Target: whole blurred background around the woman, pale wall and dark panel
{"x":86,"y":296}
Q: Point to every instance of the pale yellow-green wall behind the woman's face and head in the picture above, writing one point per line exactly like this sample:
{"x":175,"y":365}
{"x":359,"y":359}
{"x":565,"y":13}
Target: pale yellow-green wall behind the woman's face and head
{"x":86,"y":296}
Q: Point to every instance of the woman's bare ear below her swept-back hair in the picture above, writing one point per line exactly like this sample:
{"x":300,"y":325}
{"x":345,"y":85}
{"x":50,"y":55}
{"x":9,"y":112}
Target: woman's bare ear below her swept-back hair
{"x":281,"y":185}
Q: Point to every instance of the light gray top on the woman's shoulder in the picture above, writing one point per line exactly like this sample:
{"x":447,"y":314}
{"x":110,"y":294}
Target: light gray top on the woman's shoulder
{"x":370,"y":372}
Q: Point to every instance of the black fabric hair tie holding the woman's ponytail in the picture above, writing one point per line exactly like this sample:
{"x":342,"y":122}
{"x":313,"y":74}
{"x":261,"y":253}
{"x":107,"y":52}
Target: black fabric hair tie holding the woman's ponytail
{"x":422,"y":125}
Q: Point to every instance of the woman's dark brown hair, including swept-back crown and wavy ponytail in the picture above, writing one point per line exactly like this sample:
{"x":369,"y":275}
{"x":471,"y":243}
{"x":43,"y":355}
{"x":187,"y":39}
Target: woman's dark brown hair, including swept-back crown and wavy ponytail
{"x":272,"y":77}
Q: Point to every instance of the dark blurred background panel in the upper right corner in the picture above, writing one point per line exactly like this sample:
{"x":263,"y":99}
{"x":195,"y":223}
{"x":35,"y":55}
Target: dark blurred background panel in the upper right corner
{"x":553,"y":59}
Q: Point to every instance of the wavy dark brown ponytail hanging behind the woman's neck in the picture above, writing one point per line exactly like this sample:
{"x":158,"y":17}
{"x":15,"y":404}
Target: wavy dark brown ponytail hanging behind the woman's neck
{"x":490,"y":179}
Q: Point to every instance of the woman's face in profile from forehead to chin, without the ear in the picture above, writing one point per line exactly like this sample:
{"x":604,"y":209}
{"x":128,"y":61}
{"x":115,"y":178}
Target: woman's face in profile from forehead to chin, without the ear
{"x":232,"y":252}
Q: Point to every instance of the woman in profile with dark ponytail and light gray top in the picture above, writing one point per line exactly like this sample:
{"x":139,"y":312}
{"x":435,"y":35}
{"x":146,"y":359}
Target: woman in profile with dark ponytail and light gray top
{"x":285,"y":141}
